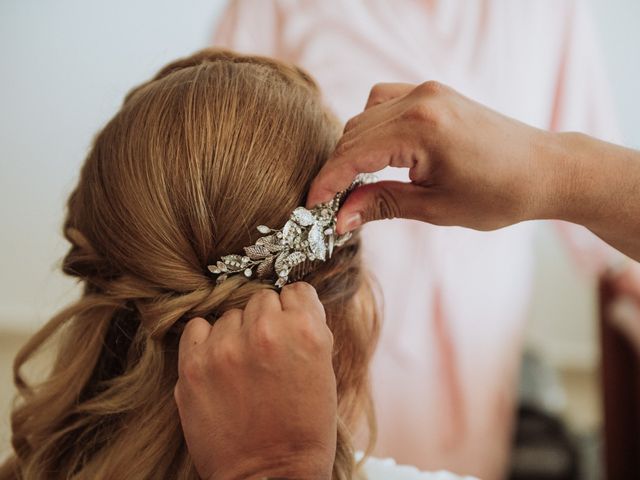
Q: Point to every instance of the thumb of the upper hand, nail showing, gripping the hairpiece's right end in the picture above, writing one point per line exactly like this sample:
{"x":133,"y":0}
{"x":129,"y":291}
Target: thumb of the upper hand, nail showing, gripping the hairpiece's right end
{"x":382,"y":200}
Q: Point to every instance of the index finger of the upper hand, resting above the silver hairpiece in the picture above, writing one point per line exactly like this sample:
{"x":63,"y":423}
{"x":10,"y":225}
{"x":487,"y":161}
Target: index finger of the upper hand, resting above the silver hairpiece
{"x":368,"y":152}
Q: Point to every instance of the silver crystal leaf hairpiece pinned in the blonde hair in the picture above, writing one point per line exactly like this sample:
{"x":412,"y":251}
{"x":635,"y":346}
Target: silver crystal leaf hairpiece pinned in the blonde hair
{"x":308,"y":235}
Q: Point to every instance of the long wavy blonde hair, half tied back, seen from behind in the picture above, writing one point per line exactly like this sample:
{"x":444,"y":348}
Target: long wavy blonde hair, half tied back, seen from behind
{"x":214,"y":145}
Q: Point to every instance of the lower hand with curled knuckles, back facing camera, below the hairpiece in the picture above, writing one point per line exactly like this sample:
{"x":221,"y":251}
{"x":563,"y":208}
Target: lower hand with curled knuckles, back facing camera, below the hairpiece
{"x":256,"y":391}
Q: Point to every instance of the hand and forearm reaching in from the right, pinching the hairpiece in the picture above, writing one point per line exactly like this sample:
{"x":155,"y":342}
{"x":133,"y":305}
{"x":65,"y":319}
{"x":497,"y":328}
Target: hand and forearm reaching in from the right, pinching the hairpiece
{"x":473,"y":167}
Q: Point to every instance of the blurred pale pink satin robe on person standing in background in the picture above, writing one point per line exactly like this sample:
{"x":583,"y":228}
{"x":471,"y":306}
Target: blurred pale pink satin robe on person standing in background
{"x":455,"y":300}
